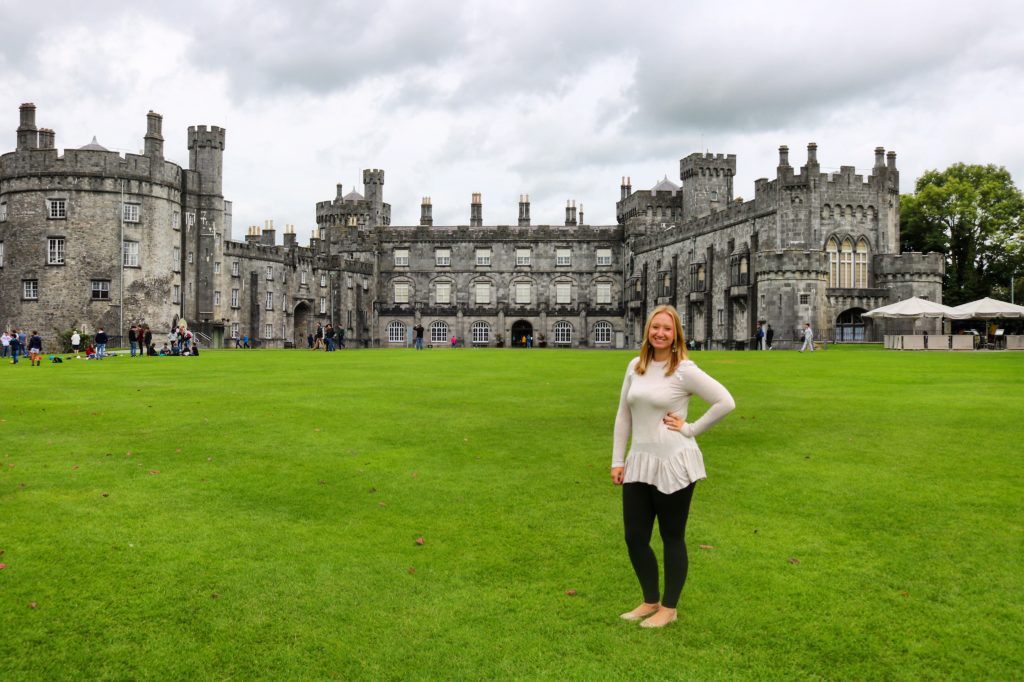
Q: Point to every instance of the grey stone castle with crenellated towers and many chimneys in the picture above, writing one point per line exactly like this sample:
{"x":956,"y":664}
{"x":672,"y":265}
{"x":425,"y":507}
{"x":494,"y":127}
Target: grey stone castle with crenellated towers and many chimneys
{"x":94,"y":239}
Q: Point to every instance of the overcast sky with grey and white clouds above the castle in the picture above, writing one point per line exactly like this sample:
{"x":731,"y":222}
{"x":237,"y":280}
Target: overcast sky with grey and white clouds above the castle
{"x":558,"y":100}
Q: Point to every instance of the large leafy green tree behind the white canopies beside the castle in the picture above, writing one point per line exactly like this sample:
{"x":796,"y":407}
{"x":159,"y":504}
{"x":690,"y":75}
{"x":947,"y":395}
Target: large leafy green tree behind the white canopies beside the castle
{"x":972,"y":215}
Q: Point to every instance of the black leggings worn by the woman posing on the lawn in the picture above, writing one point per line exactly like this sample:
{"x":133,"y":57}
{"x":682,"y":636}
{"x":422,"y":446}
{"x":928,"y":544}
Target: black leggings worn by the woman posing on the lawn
{"x":644,"y":503}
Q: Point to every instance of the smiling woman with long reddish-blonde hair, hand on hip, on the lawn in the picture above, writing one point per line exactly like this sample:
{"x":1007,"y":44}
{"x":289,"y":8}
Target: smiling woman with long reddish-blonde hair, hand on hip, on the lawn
{"x":664,"y":463}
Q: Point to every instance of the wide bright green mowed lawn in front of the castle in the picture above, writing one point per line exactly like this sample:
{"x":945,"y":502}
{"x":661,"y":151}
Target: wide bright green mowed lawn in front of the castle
{"x":255,"y":515}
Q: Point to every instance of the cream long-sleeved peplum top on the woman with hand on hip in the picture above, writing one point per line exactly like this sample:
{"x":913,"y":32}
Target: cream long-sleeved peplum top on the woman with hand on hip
{"x":667,"y":459}
